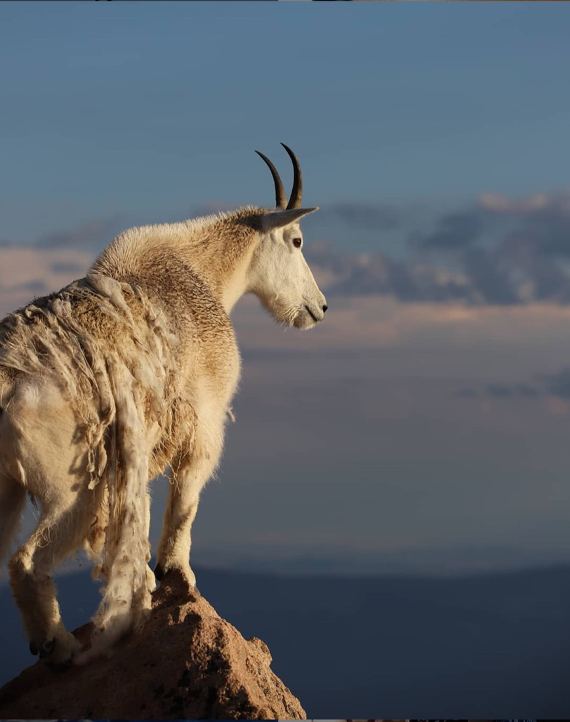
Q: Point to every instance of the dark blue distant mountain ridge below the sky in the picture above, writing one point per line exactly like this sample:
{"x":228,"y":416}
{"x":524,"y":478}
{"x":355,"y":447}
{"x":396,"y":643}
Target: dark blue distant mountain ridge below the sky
{"x":487,"y":646}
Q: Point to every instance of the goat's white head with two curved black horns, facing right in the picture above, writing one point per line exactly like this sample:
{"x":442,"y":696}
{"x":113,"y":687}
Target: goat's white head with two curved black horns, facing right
{"x":279,"y":273}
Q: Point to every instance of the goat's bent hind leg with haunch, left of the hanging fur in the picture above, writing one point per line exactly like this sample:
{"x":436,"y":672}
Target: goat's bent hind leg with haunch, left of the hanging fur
{"x":49,"y":458}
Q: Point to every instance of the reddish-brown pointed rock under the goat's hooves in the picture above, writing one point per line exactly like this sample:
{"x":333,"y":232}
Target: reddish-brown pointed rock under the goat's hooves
{"x":188,"y":663}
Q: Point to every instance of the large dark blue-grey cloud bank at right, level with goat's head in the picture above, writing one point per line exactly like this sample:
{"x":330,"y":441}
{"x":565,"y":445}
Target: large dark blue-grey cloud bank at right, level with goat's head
{"x":508,"y":251}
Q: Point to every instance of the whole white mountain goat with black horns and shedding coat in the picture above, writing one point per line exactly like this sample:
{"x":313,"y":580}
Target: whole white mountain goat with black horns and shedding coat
{"x":119,"y":376}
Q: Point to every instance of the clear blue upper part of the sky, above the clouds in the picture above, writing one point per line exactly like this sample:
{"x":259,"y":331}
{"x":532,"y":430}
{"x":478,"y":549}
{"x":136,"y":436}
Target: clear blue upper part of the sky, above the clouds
{"x":151,"y":109}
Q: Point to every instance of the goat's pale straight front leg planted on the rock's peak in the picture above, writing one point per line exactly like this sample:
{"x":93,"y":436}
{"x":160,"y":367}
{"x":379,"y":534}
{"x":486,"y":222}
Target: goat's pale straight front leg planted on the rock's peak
{"x":185,"y":487}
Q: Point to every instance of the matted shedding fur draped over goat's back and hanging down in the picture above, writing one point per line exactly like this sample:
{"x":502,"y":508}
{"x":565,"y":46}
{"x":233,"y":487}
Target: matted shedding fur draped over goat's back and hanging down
{"x":119,"y":394}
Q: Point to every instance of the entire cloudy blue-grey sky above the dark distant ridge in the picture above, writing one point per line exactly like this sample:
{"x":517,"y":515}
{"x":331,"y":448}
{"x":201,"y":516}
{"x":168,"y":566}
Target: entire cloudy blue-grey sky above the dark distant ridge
{"x":425,"y":425}
